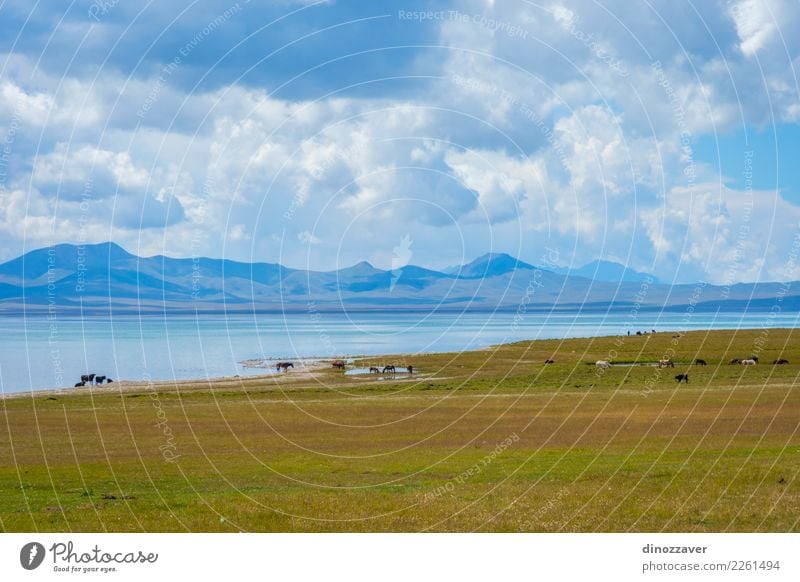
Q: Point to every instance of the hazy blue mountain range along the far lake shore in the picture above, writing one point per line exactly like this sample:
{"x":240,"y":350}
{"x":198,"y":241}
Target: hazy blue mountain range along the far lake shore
{"x":105,"y":277}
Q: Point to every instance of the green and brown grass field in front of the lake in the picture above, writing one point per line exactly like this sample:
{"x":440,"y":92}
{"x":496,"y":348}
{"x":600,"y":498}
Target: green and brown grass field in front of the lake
{"x":491,"y":440}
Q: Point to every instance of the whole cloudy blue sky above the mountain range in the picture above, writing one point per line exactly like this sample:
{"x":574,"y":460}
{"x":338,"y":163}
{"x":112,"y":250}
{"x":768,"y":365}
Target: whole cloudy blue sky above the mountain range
{"x":660,"y":135}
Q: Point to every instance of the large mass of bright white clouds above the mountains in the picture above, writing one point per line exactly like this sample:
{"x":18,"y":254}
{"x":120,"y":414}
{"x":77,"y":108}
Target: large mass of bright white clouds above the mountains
{"x":521,"y":141}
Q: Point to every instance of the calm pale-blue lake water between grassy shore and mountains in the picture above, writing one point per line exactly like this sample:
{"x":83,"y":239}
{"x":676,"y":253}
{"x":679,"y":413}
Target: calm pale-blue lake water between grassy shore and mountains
{"x":38,"y":353}
